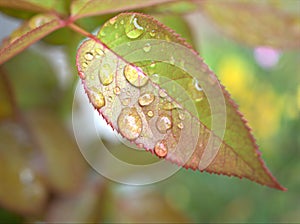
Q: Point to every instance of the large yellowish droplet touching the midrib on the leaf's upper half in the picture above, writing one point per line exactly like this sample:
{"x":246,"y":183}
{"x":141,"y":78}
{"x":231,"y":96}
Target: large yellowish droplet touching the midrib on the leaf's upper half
{"x":135,"y":77}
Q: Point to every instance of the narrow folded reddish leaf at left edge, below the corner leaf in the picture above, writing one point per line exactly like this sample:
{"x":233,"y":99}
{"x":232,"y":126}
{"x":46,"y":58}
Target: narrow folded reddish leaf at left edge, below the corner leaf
{"x":30,"y":32}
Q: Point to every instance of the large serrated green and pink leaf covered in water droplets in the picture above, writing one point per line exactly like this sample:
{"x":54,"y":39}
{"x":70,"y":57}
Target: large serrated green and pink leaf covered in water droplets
{"x":167,"y":101}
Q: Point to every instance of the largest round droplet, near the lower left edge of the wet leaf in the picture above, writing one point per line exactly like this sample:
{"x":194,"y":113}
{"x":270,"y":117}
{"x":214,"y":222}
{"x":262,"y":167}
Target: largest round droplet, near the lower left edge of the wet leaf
{"x":130,"y":123}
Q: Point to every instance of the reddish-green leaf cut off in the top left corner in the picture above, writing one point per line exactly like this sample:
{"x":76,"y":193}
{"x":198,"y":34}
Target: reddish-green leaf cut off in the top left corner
{"x":36,"y":5}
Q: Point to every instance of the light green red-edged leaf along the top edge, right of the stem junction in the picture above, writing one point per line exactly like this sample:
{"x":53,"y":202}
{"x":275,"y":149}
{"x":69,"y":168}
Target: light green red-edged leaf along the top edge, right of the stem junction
{"x":81,"y":8}
